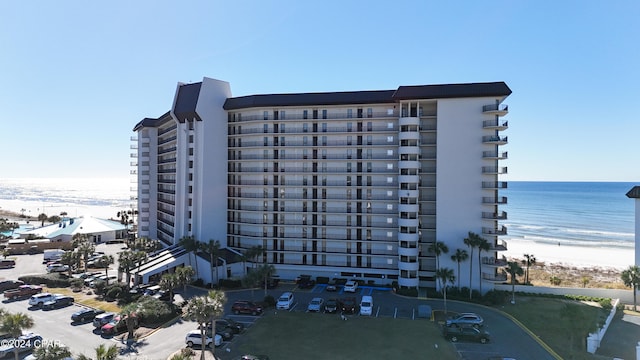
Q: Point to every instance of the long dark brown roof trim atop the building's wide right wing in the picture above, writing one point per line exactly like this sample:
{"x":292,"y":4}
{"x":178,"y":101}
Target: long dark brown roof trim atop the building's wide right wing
{"x":370,"y":97}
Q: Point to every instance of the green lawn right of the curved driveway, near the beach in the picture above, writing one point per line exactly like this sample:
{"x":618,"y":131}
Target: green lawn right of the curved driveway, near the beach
{"x":561,"y":324}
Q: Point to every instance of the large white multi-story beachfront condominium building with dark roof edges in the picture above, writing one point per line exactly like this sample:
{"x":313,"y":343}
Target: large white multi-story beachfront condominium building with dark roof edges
{"x":354,"y":184}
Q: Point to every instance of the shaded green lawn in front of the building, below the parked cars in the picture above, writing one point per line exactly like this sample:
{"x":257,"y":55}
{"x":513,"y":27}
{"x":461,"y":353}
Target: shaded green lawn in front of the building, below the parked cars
{"x":322,"y":336}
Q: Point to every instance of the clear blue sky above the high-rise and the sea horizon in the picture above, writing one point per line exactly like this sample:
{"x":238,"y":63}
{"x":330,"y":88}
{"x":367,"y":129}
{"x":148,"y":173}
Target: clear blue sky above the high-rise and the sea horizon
{"x":76,"y":76}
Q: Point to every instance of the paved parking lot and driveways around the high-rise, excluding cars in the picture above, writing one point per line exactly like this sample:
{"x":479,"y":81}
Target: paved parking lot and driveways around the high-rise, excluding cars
{"x":507,"y":338}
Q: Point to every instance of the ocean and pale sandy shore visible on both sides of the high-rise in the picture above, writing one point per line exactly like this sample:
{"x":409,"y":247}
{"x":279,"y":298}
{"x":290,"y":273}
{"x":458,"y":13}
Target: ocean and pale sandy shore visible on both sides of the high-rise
{"x":588,"y":223}
